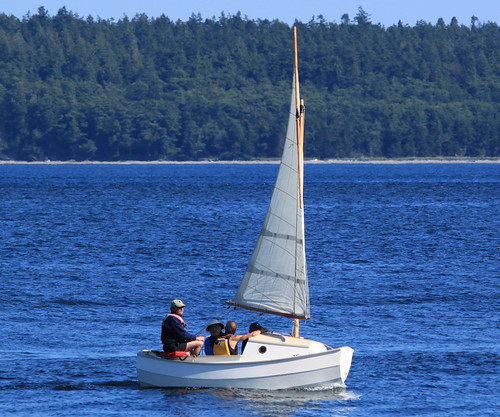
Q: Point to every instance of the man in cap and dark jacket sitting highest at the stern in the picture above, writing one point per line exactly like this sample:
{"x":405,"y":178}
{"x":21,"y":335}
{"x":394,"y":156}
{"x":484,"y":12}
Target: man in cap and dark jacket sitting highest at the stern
{"x":174,"y":335}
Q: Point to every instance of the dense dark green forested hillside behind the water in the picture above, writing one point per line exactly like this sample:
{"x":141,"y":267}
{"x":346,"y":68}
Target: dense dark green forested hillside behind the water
{"x":147,"y":89}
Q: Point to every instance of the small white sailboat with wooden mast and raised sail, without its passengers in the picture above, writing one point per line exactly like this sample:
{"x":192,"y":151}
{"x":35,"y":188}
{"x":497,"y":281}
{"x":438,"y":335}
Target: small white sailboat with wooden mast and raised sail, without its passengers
{"x":275,"y":282}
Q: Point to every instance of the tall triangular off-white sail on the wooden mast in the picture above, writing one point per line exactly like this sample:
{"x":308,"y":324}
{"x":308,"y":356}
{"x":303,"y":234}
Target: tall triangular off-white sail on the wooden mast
{"x":276,"y":277}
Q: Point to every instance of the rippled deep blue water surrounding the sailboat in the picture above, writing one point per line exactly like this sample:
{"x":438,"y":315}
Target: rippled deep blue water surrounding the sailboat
{"x":404,"y":266}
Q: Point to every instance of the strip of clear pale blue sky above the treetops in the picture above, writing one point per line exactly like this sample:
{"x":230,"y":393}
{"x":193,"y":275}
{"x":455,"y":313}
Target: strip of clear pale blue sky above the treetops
{"x":386,"y":12}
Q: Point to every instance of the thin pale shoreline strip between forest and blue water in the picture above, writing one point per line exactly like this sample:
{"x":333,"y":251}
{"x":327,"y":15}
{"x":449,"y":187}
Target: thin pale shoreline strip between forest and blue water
{"x":374,"y":161}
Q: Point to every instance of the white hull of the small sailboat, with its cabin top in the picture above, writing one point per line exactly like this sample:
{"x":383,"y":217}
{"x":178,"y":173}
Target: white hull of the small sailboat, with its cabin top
{"x":247,"y":371}
